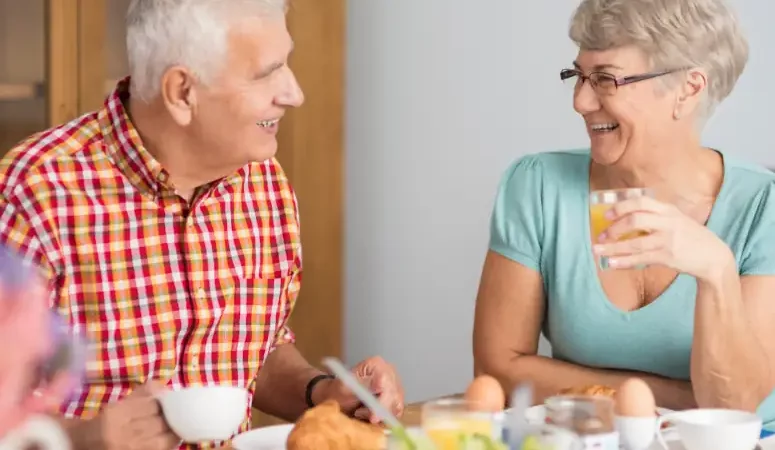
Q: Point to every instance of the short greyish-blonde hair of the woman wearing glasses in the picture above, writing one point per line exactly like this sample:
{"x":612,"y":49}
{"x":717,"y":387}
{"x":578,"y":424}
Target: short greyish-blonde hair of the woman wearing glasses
{"x":673,"y":33}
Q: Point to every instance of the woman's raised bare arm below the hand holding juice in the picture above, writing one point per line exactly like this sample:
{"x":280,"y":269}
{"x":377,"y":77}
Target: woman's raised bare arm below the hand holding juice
{"x":733,"y":352}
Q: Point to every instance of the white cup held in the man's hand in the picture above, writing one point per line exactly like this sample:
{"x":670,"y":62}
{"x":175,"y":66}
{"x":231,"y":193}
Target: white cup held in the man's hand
{"x":208,"y":413}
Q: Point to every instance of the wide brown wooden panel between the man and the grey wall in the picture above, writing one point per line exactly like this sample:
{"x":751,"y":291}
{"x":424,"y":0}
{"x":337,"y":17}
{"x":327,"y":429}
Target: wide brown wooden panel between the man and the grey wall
{"x":312,"y":153}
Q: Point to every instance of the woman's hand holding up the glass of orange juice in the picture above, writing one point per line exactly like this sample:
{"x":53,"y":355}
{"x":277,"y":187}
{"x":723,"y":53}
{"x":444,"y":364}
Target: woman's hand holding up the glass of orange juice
{"x":674,"y":239}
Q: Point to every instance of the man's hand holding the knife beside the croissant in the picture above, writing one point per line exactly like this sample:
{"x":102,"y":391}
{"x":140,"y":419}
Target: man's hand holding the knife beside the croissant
{"x":376,"y":375}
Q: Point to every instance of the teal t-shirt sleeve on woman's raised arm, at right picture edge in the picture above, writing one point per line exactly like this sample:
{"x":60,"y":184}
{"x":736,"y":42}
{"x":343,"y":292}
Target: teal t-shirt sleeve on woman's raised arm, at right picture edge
{"x":759,"y":252}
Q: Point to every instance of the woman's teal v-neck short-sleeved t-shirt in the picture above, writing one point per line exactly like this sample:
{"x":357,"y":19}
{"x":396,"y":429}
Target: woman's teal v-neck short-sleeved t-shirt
{"x":541,"y":220}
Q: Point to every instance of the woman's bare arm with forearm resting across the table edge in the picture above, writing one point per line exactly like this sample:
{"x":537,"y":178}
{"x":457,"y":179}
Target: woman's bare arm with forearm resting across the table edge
{"x":510,"y":309}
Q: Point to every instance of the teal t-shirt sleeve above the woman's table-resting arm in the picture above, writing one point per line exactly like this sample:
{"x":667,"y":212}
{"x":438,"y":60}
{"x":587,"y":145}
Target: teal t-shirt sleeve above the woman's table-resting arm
{"x":516,"y":225}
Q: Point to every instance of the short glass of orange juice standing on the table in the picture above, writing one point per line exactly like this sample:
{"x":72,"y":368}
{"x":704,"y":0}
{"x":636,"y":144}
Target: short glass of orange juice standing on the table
{"x":448,"y":422}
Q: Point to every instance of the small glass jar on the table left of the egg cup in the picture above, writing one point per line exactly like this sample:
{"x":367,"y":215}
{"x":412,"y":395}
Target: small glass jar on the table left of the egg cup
{"x":589,"y":417}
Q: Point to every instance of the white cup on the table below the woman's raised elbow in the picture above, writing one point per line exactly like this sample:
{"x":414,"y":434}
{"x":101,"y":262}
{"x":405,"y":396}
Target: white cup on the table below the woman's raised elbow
{"x":713,"y":429}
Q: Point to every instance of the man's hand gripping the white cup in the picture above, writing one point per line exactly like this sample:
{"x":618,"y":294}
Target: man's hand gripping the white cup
{"x":135,"y":422}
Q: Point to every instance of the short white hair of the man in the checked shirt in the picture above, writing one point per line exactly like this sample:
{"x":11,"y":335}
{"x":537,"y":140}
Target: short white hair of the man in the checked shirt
{"x":192,"y":33}
